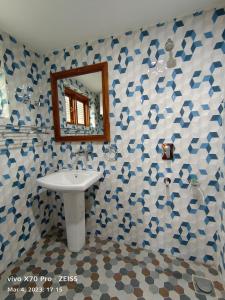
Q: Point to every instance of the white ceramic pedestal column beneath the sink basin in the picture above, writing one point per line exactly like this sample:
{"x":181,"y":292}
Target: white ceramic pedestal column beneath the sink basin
{"x":74,"y":207}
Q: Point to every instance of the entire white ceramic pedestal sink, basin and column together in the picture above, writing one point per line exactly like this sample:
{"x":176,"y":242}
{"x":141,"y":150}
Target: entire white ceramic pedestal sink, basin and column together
{"x":72,"y":185}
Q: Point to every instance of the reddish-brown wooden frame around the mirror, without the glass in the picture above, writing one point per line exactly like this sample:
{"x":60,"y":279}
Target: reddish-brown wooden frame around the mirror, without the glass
{"x":100,"y":67}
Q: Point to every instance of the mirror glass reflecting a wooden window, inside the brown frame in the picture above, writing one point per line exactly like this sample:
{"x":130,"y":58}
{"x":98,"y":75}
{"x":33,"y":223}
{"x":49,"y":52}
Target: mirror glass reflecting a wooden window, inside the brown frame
{"x":80,"y":104}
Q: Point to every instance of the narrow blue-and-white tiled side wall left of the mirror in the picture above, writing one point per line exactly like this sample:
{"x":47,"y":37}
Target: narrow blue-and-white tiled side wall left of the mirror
{"x":26,"y":213}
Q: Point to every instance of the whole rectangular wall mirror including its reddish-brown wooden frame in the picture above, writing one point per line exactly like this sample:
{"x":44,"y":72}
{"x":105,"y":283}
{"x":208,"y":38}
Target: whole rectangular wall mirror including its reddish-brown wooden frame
{"x":81,"y":103}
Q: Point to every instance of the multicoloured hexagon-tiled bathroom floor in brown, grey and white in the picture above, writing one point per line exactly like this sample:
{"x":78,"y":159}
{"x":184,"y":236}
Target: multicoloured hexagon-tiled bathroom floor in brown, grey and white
{"x":103,"y":270}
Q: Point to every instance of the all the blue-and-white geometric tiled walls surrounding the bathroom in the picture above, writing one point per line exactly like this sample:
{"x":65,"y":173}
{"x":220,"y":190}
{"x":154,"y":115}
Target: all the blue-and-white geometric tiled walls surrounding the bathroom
{"x":149,"y":105}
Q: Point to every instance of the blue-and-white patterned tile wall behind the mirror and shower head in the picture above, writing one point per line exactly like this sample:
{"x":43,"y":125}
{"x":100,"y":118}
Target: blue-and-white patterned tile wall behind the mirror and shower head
{"x":150,"y":105}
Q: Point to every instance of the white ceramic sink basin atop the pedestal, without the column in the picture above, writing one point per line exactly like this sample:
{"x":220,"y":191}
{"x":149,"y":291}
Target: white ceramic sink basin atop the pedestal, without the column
{"x":69,"y":180}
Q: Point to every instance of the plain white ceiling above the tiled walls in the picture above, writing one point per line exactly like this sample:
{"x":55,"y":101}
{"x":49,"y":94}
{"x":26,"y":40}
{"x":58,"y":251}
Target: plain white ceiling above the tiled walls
{"x":44,"y":25}
